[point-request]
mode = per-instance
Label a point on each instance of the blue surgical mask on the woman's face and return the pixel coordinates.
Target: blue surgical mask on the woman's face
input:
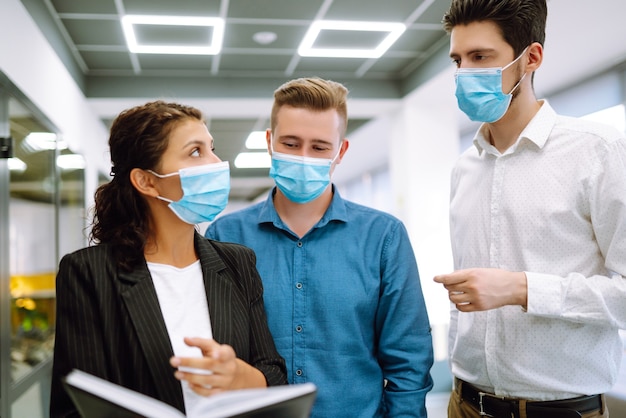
(205, 192)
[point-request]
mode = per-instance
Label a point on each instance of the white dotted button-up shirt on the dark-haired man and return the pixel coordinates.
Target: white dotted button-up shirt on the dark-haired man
(553, 205)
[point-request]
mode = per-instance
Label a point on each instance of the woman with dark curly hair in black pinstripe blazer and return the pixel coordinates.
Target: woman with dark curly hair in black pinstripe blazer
(154, 306)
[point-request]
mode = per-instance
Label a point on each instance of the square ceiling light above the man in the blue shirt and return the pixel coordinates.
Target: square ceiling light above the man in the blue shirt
(306, 48)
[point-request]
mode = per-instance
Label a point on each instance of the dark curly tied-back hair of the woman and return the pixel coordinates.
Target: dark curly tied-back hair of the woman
(139, 137)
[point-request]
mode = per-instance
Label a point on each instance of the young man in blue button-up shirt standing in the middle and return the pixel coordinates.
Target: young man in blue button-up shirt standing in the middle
(341, 286)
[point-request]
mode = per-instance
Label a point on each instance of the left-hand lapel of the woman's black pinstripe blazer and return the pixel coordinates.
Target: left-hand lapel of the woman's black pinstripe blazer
(142, 304)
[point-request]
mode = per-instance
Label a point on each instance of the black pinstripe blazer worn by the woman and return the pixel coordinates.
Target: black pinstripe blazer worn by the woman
(109, 322)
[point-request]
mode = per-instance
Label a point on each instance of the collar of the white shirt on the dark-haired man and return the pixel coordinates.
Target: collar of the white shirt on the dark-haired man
(537, 131)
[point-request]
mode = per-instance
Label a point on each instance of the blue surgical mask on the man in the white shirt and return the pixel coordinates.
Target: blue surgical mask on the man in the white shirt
(479, 92)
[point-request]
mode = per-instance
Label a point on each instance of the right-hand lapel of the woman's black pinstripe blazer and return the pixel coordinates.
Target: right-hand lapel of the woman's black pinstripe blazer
(218, 290)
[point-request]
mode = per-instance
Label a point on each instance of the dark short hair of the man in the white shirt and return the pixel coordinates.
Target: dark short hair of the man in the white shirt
(521, 22)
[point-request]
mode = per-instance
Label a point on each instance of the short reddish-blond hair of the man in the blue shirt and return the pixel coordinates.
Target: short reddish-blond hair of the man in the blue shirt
(314, 94)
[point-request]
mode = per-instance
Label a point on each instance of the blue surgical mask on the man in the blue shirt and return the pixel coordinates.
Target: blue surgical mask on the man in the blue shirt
(301, 179)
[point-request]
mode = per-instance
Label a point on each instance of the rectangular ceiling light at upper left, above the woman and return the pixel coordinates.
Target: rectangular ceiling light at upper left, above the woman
(213, 48)
